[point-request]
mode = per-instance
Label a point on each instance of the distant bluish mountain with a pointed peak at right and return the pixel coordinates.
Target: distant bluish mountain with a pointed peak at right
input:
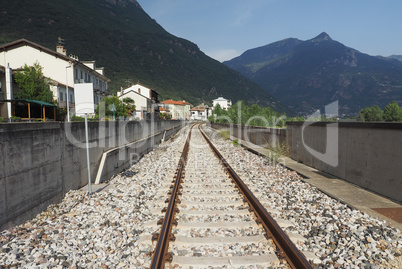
(308, 75)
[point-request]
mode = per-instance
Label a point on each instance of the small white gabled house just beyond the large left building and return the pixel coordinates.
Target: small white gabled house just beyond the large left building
(144, 99)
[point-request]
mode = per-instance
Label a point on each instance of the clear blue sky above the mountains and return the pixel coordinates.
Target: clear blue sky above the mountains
(223, 29)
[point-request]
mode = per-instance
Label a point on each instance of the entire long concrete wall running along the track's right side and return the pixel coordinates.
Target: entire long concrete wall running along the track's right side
(366, 154)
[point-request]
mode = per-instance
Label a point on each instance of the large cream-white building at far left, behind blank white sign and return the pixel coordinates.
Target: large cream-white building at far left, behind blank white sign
(86, 82)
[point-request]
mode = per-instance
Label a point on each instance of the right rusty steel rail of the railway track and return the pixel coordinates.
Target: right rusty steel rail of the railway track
(293, 256)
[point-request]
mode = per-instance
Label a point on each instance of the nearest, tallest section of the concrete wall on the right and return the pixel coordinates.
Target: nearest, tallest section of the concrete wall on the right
(369, 154)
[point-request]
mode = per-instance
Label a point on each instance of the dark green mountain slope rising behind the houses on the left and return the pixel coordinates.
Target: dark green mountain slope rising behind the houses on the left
(131, 46)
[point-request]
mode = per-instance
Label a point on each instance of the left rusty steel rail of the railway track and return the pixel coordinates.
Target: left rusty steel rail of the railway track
(160, 253)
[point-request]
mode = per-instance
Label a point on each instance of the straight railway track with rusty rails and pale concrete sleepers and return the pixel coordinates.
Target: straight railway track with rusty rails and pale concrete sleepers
(212, 218)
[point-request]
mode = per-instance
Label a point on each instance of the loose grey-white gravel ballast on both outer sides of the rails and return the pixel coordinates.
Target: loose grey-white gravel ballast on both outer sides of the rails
(106, 230)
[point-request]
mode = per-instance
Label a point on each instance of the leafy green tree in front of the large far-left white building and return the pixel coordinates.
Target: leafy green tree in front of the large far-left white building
(33, 84)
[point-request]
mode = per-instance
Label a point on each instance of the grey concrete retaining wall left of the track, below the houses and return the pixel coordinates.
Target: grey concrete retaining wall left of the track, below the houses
(40, 162)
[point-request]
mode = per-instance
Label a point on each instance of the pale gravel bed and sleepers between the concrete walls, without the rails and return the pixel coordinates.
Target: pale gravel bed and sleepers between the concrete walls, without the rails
(113, 227)
